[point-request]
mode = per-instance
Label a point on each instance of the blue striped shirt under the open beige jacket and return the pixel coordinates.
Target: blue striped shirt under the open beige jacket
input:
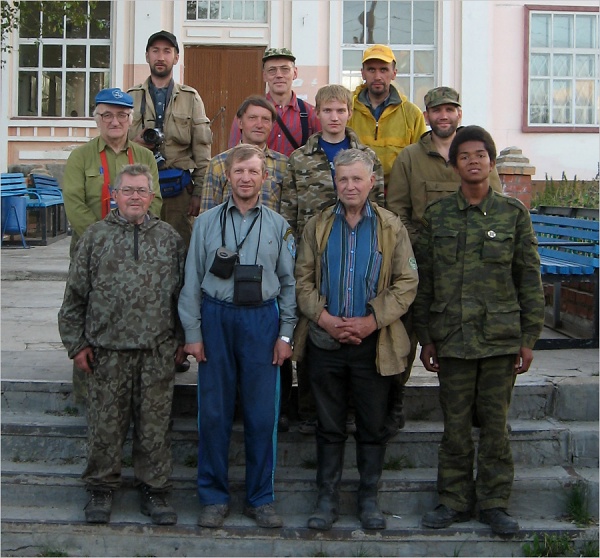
(351, 264)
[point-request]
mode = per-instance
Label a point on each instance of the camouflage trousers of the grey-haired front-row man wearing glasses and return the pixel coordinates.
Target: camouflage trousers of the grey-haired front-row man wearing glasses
(126, 385)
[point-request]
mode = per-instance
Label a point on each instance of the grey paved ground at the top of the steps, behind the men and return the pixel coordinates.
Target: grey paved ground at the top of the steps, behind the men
(31, 293)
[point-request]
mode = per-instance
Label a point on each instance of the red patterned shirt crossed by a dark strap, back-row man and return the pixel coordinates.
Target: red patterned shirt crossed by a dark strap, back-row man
(290, 115)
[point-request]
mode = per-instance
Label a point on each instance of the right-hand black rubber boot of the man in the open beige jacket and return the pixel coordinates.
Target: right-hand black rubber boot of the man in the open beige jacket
(369, 459)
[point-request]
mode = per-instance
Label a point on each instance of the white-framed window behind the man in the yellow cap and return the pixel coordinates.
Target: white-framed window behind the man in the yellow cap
(409, 27)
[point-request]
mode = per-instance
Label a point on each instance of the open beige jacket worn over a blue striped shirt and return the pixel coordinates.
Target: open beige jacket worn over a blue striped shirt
(396, 290)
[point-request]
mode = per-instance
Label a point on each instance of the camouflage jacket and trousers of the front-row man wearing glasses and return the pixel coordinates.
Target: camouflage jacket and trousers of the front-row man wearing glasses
(121, 300)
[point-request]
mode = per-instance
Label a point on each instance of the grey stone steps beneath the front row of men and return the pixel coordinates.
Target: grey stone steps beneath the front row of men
(554, 438)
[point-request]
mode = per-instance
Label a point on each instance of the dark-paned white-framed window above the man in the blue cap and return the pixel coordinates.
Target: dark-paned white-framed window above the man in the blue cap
(62, 65)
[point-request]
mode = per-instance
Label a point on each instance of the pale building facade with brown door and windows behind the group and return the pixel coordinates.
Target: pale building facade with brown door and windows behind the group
(527, 72)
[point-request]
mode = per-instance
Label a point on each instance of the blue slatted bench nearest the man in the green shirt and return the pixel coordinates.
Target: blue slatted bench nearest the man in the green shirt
(46, 210)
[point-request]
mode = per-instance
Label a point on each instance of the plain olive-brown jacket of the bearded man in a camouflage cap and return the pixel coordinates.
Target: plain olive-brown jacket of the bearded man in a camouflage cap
(421, 175)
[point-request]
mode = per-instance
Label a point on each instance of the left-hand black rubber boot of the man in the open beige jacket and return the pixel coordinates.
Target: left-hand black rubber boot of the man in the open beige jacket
(330, 462)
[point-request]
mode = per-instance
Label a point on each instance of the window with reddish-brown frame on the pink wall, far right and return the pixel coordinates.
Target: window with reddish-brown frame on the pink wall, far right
(563, 65)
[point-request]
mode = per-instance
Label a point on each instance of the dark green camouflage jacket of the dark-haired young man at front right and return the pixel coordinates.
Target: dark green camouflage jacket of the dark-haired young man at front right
(480, 290)
